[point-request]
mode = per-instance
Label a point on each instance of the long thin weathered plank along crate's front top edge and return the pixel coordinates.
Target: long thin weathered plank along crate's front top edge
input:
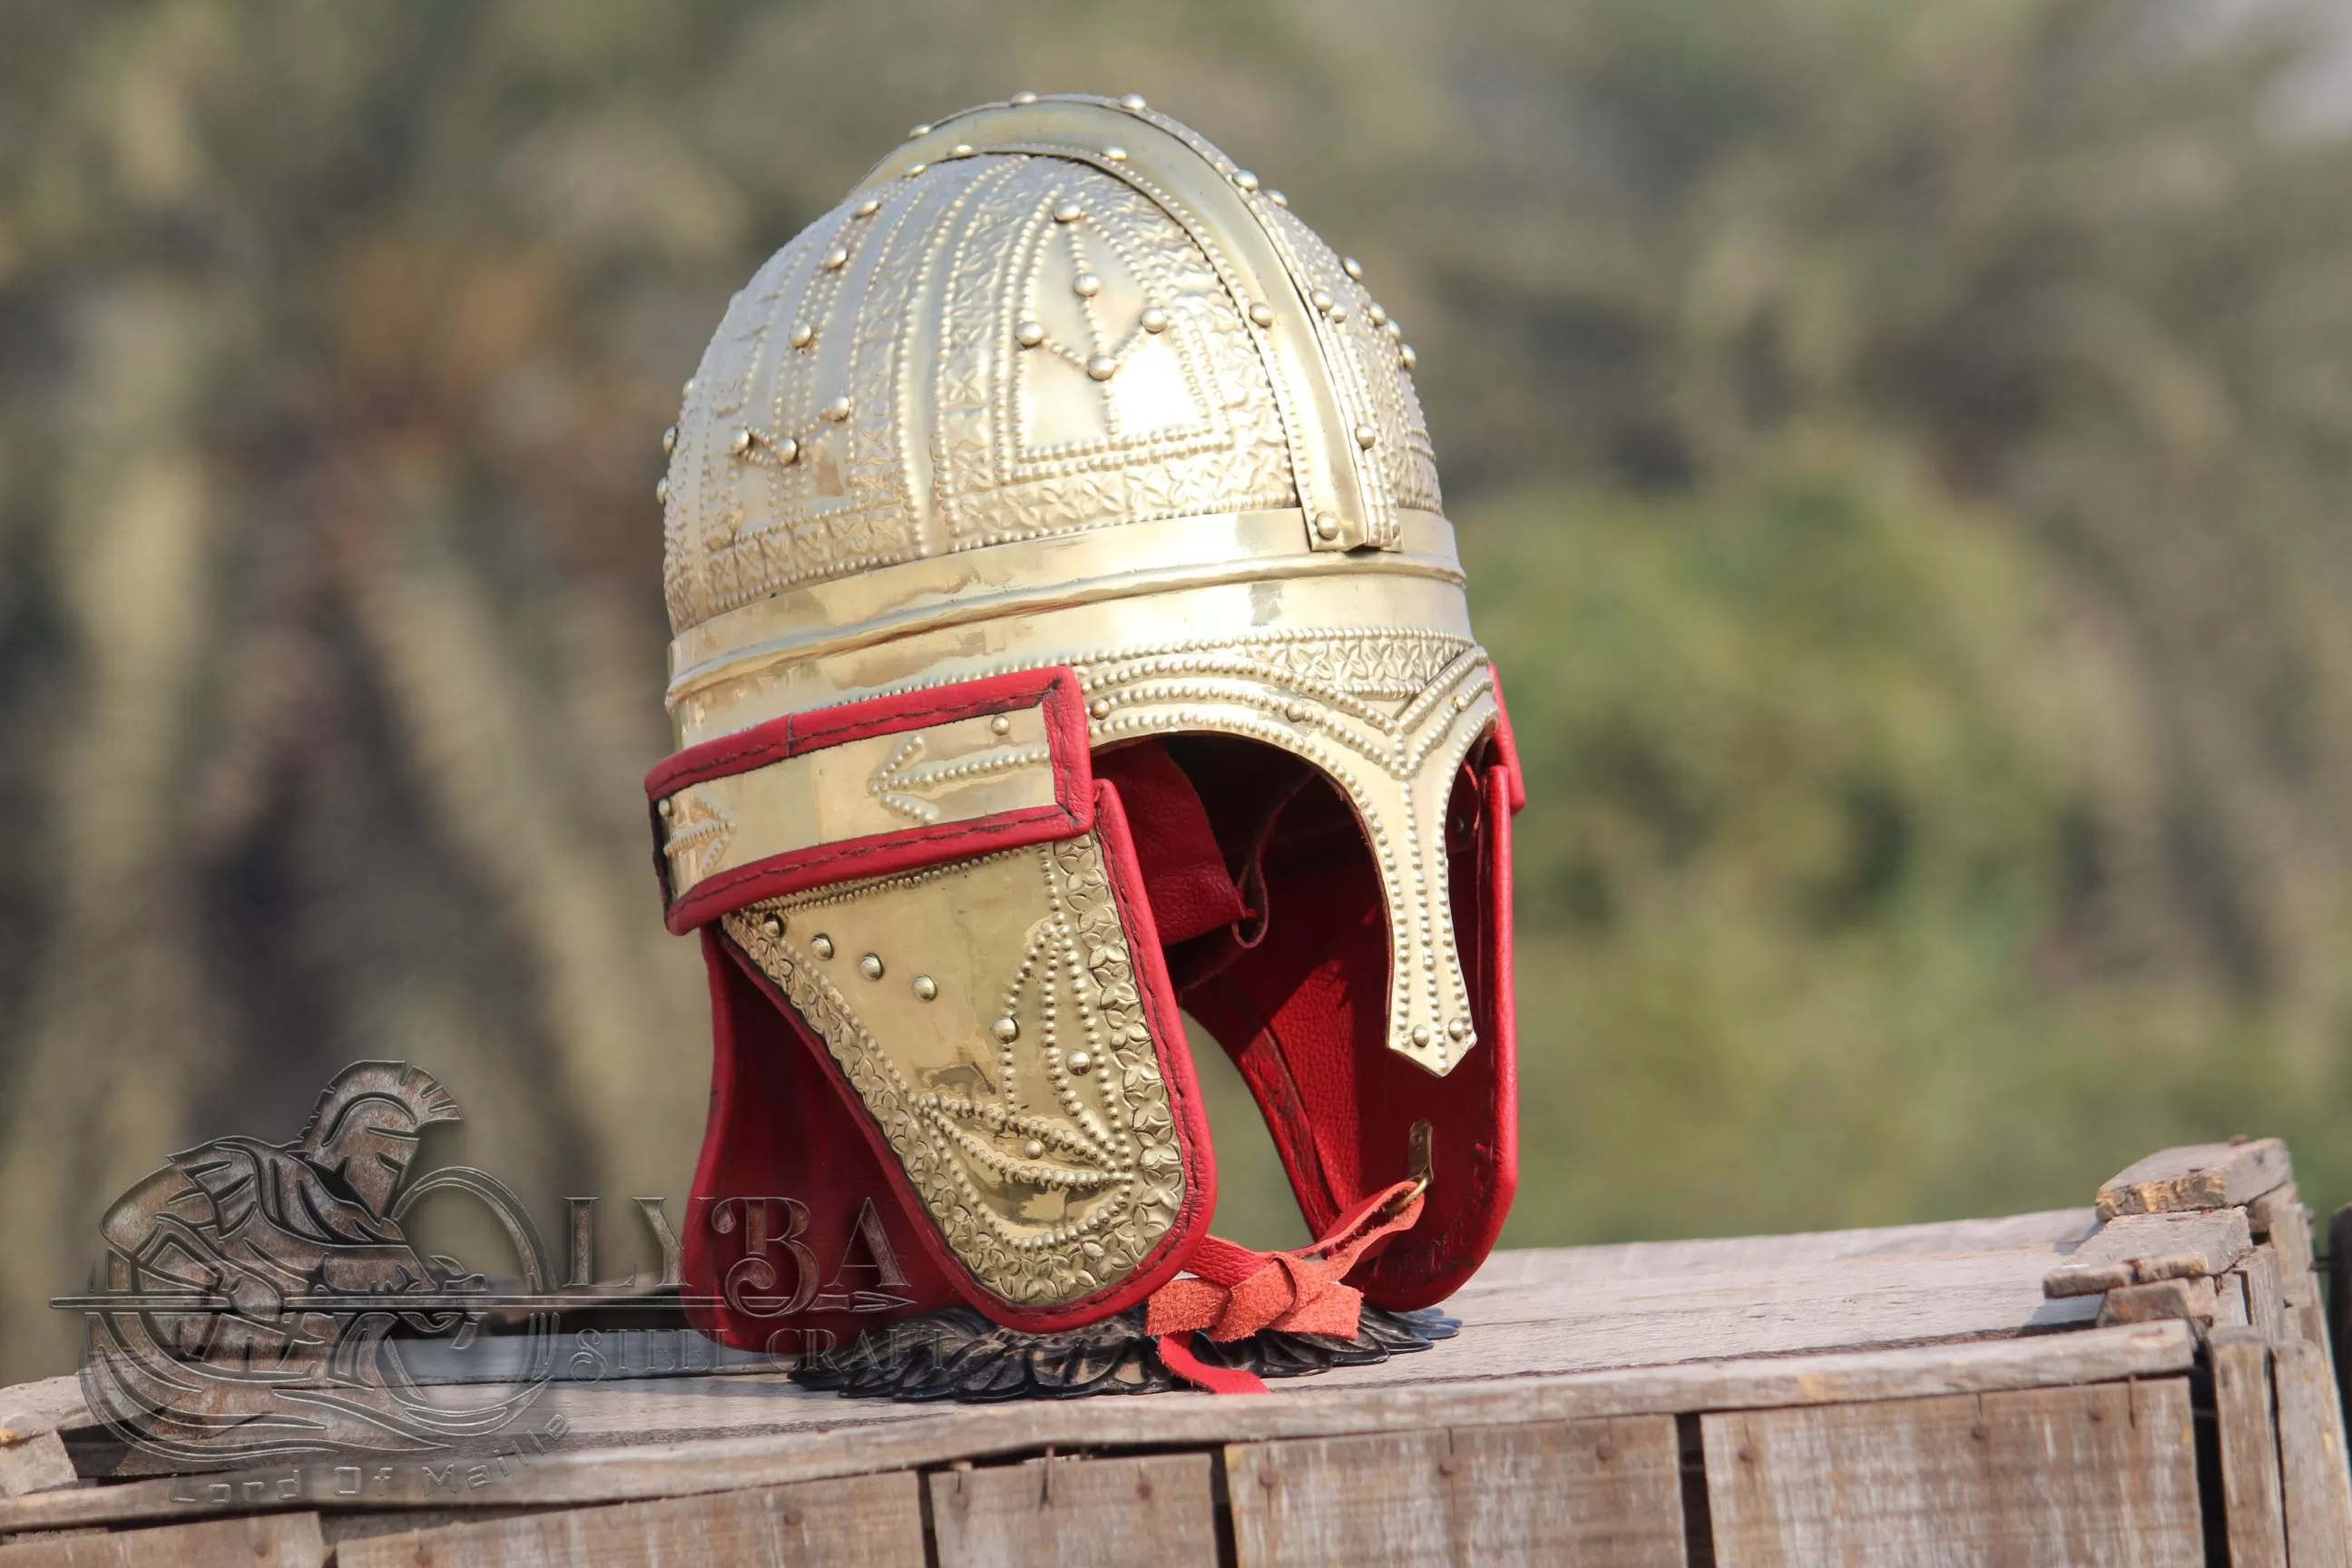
(1323, 1407)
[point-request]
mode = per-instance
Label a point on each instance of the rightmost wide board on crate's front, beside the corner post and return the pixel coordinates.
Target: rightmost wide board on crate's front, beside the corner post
(2066, 1477)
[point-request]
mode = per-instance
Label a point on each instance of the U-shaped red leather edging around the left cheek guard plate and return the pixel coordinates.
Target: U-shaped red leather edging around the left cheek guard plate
(1187, 1108)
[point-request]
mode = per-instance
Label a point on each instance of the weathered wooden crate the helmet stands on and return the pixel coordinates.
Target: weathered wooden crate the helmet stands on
(2029, 1391)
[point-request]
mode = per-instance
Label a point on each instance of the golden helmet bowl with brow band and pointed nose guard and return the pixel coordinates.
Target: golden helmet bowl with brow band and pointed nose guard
(1060, 384)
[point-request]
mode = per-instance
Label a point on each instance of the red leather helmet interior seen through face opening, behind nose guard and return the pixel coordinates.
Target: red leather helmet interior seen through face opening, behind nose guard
(1297, 991)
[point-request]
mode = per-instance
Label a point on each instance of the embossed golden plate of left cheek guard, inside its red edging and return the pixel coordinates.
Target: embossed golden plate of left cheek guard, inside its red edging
(1015, 1078)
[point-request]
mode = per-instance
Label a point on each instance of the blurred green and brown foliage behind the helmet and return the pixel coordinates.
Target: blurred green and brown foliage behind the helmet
(1902, 453)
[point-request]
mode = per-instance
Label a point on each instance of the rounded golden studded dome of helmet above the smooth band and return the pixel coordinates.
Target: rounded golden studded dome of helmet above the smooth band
(949, 434)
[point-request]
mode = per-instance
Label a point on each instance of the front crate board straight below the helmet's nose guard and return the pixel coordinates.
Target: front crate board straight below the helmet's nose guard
(1601, 1494)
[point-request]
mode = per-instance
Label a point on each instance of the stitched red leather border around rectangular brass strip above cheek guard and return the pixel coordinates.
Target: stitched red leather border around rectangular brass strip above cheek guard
(881, 855)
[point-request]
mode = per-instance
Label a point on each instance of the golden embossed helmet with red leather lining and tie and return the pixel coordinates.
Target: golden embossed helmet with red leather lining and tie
(1069, 641)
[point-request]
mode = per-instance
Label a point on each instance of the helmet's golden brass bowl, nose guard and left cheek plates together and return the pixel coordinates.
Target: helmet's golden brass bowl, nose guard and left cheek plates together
(1057, 387)
